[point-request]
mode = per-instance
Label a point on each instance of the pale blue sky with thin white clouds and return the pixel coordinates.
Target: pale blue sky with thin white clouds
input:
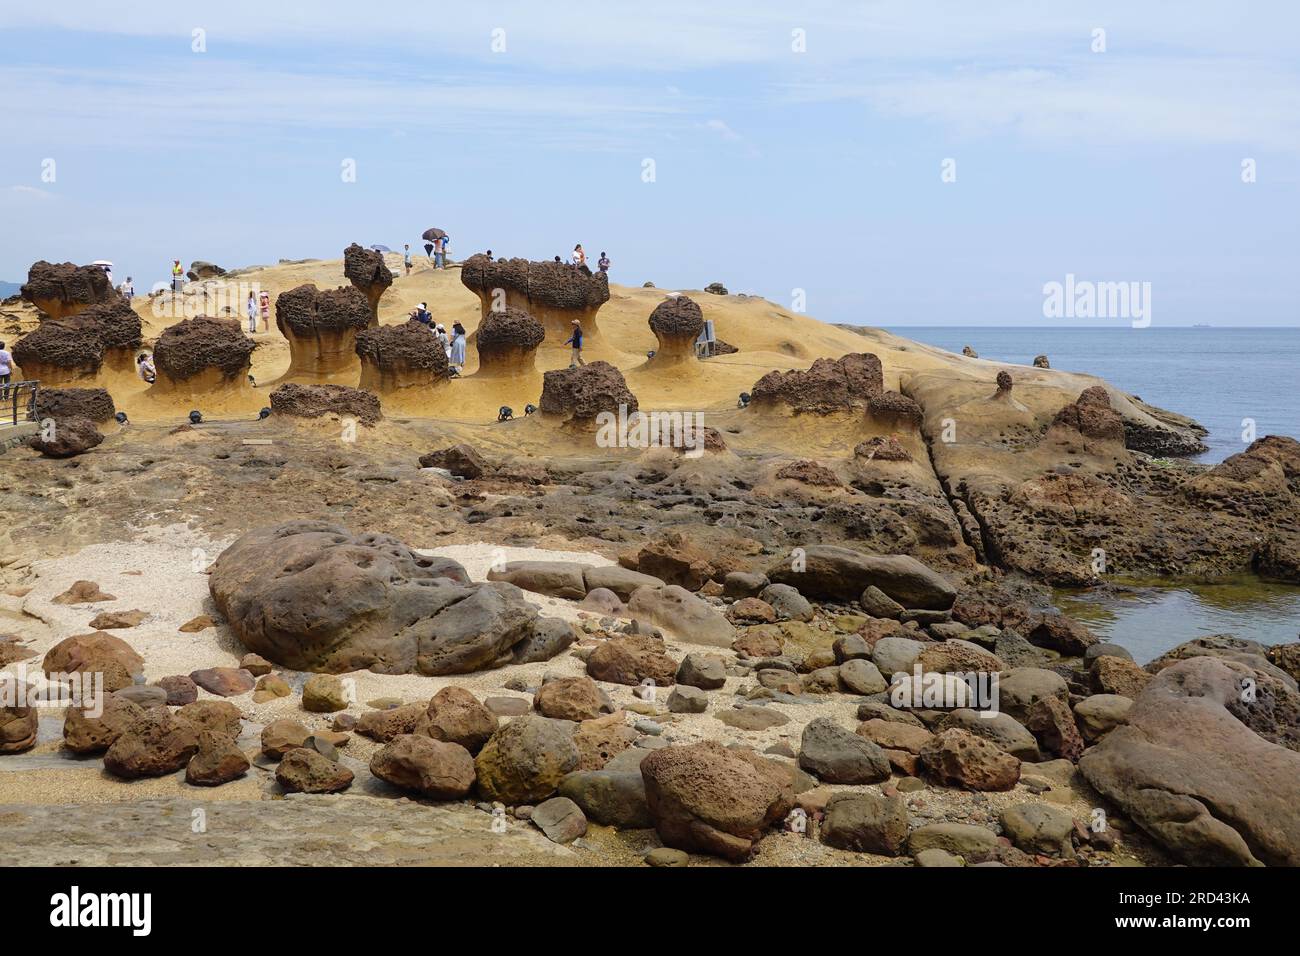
(881, 163)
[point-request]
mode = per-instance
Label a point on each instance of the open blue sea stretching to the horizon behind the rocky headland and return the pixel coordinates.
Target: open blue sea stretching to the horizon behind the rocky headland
(1216, 377)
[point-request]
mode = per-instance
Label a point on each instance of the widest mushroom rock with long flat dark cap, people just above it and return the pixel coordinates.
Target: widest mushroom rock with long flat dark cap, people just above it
(553, 293)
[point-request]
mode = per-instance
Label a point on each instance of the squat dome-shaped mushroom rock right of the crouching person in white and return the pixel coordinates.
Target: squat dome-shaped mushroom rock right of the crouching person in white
(202, 356)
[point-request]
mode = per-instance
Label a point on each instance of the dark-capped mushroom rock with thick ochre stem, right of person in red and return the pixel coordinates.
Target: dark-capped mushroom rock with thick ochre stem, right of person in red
(322, 328)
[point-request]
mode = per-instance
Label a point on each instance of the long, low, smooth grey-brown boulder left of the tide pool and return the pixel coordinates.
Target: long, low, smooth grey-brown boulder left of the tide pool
(843, 574)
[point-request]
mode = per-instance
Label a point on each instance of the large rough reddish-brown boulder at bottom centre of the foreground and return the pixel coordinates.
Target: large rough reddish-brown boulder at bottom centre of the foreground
(708, 799)
